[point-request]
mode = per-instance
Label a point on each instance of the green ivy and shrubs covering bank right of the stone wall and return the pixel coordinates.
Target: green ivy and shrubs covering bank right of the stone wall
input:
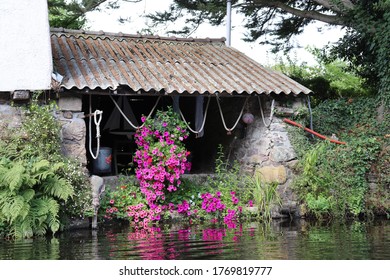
(333, 178)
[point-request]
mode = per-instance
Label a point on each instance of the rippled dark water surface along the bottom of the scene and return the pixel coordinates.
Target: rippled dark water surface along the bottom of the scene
(280, 240)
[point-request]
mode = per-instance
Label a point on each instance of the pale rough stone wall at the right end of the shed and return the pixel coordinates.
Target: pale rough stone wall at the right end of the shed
(268, 153)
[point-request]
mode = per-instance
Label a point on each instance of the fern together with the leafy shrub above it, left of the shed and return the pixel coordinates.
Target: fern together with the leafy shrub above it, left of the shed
(42, 184)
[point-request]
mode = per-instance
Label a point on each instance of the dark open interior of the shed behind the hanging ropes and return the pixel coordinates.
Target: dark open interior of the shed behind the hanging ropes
(118, 136)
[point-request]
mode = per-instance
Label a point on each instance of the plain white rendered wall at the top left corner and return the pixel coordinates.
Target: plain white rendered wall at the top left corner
(25, 51)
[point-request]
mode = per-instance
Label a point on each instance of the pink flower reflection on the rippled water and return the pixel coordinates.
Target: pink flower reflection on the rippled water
(153, 243)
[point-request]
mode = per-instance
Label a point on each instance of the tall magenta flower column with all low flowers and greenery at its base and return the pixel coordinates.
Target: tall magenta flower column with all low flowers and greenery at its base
(161, 159)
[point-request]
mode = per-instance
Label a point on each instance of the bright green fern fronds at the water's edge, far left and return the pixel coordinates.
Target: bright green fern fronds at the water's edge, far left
(30, 196)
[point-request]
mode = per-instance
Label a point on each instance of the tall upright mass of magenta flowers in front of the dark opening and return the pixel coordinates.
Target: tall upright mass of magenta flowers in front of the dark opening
(161, 157)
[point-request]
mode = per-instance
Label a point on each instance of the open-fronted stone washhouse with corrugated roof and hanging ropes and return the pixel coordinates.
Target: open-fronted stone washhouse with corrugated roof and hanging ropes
(97, 71)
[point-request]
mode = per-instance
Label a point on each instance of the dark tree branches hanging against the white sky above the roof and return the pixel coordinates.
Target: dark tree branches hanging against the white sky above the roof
(277, 19)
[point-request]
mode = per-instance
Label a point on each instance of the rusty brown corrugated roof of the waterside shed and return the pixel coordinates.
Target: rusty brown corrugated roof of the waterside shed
(98, 60)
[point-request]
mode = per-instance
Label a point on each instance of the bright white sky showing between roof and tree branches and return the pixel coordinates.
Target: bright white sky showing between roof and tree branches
(107, 20)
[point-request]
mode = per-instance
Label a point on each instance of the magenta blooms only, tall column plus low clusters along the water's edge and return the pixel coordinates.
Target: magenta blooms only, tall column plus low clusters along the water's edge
(161, 160)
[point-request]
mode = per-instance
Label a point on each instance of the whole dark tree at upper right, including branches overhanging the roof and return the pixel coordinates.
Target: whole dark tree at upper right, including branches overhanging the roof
(365, 45)
